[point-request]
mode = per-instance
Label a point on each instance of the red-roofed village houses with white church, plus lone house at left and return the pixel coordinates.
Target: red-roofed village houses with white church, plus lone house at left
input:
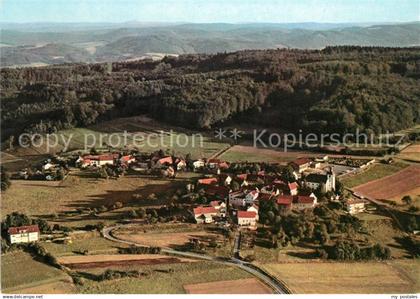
(229, 193)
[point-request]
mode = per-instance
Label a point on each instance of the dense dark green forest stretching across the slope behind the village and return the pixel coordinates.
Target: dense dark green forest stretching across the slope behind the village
(338, 89)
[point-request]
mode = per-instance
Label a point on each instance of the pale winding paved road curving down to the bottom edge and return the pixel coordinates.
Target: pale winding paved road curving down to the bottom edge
(278, 286)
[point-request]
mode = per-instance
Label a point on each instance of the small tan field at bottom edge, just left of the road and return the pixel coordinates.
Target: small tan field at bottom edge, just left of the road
(239, 286)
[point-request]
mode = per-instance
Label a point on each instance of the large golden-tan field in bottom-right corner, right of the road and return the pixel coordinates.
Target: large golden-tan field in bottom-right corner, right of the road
(355, 278)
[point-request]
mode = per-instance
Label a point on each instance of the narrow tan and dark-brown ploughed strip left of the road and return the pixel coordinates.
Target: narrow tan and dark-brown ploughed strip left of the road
(120, 260)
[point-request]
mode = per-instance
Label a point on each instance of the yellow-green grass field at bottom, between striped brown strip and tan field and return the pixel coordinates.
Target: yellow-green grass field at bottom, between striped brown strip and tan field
(159, 282)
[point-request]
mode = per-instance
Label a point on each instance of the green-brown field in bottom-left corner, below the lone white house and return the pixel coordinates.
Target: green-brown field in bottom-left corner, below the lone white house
(19, 269)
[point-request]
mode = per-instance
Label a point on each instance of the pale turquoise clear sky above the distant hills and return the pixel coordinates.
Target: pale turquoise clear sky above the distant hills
(210, 11)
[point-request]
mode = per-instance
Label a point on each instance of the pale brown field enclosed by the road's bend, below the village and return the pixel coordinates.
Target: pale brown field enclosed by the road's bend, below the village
(163, 239)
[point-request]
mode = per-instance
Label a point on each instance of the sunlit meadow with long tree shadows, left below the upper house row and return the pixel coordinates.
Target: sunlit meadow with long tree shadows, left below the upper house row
(41, 198)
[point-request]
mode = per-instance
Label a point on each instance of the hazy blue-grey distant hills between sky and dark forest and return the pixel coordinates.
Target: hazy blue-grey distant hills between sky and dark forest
(108, 42)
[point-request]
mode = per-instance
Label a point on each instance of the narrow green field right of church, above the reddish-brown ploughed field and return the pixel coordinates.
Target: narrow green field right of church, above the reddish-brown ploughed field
(374, 172)
